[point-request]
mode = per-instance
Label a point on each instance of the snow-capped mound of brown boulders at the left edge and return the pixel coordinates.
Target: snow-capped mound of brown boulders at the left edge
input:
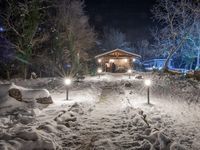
(14, 98)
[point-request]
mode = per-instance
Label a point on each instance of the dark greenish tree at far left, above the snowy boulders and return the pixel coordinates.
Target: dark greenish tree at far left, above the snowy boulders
(21, 21)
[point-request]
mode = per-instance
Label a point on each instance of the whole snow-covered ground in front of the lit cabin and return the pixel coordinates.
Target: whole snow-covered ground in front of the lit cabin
(108, 113)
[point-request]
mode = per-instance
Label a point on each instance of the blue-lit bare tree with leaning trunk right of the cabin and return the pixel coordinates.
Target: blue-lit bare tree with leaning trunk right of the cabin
(176, 18)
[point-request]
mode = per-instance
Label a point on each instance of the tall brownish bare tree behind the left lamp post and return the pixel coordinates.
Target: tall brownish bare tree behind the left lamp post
(73, 35)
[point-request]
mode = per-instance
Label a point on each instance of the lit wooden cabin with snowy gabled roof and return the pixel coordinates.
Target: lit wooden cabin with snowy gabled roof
(117, 60)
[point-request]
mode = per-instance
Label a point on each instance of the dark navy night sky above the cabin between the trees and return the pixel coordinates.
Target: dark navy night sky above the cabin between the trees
(132, 17)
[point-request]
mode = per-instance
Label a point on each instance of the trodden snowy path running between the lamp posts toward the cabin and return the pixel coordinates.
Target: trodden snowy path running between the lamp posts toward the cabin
(107, 126)
